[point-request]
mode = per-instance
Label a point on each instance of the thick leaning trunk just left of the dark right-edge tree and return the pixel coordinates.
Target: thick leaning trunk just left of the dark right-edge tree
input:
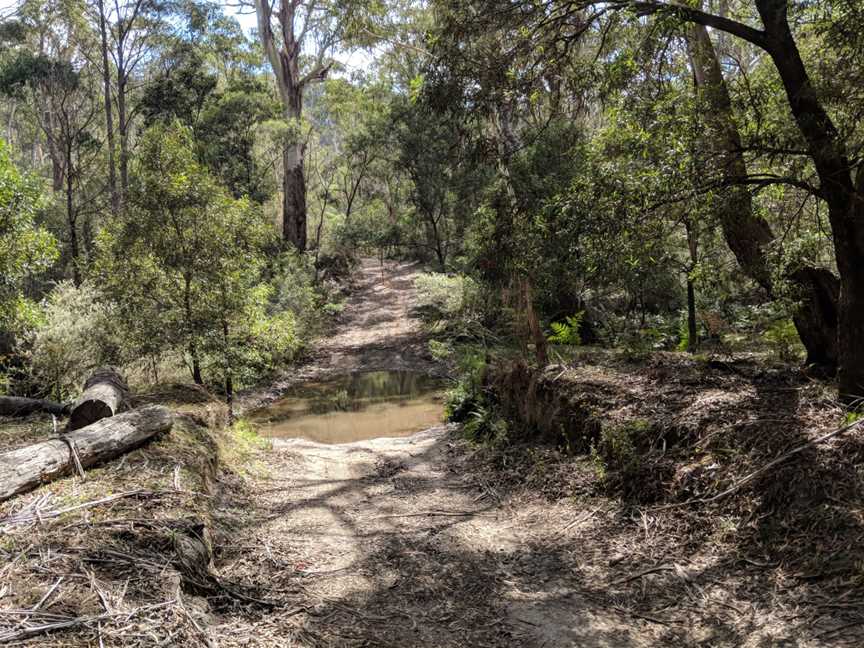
(747, 234)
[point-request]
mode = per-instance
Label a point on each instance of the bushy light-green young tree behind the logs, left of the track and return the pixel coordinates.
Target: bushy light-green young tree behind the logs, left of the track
(184, 262)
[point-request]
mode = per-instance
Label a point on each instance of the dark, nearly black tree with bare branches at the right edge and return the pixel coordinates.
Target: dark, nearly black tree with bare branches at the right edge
(830, 151)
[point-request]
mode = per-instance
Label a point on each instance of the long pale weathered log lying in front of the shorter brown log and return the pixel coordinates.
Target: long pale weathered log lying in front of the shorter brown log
(27, 468)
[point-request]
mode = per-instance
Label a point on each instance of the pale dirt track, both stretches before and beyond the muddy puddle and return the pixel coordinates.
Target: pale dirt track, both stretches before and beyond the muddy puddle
(385, 543)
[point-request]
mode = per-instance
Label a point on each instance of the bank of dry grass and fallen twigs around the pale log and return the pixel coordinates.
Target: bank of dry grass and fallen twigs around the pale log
(125, 557)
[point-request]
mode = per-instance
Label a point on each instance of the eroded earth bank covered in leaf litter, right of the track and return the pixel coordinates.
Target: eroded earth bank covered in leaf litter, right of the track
(652, 443)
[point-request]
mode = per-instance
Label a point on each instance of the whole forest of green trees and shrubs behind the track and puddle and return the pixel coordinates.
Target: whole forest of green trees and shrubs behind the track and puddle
(193, 180)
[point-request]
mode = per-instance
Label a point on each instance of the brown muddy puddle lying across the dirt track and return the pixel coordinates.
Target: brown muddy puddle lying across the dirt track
(355, 407)
